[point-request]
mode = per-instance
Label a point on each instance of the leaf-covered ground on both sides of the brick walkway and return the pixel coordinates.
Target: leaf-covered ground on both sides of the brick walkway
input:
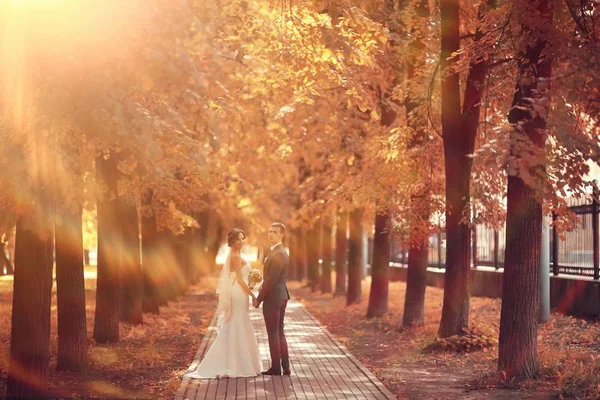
(150, 360)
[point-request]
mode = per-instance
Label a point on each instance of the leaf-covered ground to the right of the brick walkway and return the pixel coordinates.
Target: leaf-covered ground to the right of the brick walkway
(568, 348)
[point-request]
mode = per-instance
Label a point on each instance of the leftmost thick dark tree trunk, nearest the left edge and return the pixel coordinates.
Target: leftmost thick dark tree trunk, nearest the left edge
(30, 330)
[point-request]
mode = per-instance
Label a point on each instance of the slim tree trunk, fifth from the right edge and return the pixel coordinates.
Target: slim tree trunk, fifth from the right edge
(355, 257)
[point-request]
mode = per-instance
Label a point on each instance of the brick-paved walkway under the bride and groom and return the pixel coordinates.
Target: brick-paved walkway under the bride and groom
(322, 368)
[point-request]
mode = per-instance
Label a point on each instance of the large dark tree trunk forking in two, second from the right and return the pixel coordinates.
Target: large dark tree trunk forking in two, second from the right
(459, 143)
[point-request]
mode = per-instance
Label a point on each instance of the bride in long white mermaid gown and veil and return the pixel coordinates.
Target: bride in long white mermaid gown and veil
(234, 352)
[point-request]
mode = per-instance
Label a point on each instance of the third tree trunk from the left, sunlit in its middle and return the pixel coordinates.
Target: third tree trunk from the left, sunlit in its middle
(106, 321)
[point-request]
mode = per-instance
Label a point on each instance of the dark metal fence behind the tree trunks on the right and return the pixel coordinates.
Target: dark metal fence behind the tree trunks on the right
(577, 255)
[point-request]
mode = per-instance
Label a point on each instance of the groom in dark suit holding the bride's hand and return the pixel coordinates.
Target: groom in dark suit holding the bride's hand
(274, 295)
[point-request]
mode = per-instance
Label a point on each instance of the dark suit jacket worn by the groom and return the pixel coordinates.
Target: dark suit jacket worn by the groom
(275, 274)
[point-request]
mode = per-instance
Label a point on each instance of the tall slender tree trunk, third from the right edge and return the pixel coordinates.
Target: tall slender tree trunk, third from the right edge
(415, 103)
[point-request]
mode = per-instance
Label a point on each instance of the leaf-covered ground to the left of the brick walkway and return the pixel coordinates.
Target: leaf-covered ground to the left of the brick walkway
(148, 362)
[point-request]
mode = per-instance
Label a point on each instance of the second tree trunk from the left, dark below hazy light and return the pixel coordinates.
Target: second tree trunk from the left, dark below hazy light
(70, 292)
